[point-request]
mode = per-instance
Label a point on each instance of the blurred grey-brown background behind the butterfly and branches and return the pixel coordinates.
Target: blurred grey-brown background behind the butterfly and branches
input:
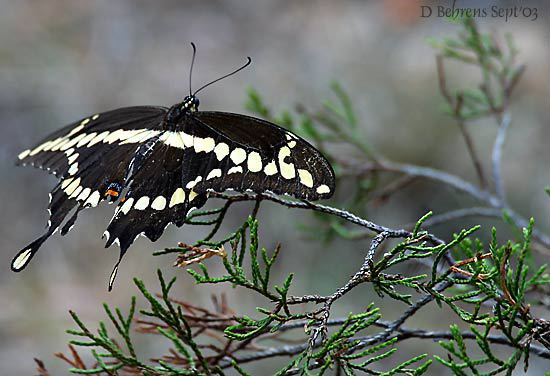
(62, 60)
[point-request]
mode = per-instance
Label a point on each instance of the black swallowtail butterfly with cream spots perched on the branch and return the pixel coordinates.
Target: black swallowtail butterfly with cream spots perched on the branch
(160, 163)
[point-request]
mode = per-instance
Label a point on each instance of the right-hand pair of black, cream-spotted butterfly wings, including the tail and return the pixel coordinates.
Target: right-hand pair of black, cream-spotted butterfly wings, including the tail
(214, 151)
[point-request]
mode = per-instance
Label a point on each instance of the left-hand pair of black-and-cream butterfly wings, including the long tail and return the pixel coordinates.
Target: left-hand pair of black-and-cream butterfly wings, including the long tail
(90, 166)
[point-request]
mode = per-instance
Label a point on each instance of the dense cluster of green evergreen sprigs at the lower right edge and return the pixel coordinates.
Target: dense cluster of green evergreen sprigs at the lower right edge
(492, 278)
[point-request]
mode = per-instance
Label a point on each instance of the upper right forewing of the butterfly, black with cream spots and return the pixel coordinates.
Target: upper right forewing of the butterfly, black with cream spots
(253, 154)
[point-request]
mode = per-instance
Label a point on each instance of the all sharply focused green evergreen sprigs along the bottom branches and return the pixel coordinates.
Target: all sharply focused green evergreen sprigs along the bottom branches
(483, 276)
